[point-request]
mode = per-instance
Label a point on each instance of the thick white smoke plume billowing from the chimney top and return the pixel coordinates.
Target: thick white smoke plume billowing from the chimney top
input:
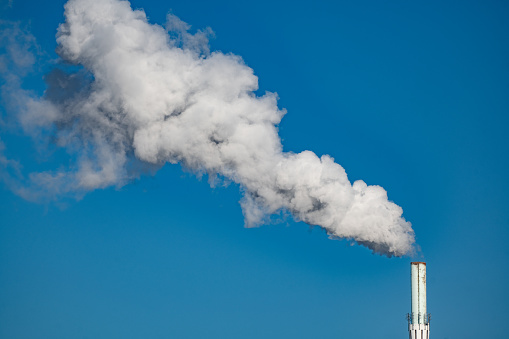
(152, 95)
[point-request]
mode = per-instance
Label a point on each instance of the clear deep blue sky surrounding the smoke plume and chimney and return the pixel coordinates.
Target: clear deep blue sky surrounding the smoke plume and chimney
(412, 96)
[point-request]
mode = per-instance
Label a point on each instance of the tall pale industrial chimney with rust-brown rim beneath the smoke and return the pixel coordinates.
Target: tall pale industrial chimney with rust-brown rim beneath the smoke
(418, 320)
